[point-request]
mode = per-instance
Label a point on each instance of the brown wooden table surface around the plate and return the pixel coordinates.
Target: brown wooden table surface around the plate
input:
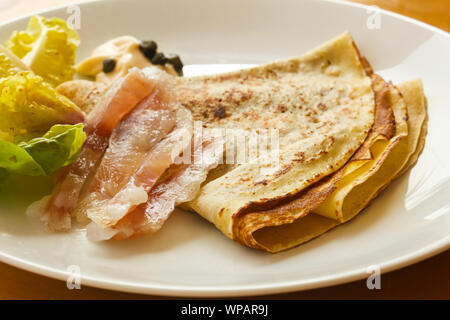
(429, 279)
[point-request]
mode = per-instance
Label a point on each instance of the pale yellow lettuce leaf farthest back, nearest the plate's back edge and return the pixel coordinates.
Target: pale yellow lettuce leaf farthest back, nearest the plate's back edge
(48, 47)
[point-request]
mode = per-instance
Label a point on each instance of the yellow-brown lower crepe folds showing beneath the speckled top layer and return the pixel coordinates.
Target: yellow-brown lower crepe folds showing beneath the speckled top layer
(343, 195)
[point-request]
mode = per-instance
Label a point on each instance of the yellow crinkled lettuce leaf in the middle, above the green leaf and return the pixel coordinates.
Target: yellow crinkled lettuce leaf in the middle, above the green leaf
(29, 107)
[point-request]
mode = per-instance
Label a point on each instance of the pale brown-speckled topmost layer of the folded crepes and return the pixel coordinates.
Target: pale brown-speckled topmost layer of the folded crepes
(321, 103)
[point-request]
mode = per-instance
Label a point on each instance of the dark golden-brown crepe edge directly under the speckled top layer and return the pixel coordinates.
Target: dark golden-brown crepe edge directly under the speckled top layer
(248, 222)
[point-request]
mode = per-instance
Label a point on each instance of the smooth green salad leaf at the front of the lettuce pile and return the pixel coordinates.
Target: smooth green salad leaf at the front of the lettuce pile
(42, 156)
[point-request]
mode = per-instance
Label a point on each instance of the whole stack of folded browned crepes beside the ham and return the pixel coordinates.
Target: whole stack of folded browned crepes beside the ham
(344, 135)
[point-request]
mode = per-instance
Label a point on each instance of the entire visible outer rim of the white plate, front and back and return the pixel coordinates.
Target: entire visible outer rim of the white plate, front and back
(153, 288)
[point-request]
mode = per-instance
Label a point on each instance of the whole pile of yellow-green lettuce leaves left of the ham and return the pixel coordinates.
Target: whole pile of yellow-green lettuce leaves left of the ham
(40, 129)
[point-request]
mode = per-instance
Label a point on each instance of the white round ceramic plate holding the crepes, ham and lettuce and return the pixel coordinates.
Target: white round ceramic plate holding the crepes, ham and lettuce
(189, 257)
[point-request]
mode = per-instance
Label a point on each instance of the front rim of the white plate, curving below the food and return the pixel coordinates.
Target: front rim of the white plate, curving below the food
(238, 290)
